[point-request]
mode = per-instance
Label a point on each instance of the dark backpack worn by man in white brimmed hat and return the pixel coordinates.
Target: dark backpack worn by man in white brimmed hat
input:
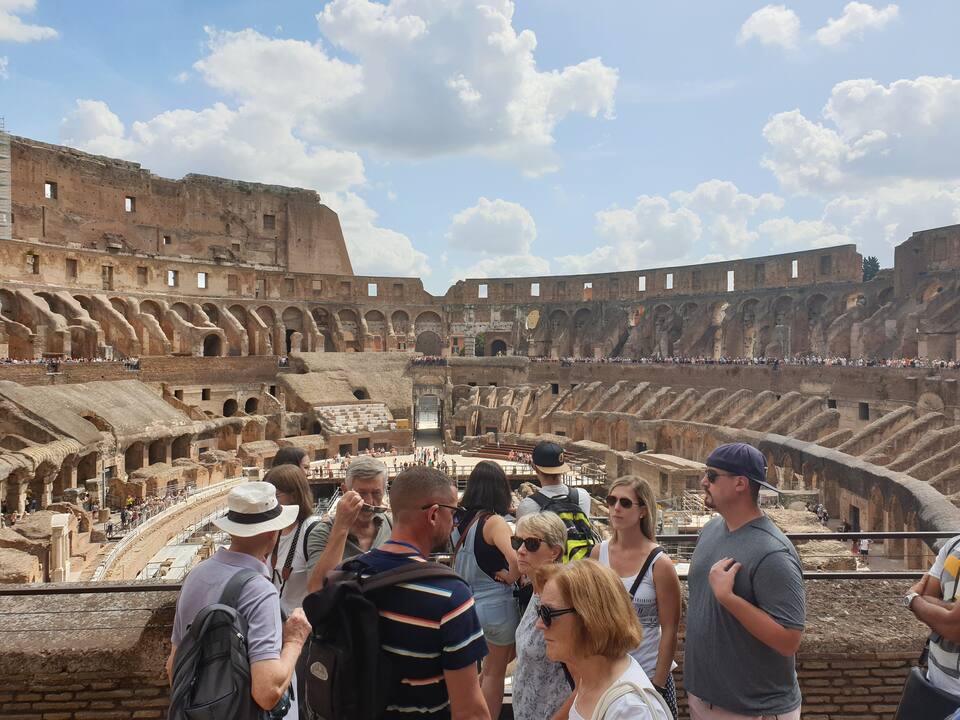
(211, 671)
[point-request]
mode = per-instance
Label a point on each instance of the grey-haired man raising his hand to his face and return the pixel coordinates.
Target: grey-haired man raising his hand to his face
(360, 523)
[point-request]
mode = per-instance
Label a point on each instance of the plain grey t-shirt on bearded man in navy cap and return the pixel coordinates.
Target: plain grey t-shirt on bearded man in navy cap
(723, 663)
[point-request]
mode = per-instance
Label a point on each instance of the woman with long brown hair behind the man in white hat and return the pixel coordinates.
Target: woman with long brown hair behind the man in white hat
(288, 561)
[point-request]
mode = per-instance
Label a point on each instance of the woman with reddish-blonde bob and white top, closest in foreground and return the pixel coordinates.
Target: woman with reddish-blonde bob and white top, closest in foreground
(589, 625)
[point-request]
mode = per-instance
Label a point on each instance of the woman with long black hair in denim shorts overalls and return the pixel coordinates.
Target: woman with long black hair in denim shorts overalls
(485, 558)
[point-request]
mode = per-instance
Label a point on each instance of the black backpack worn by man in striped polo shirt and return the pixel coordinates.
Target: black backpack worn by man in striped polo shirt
(348, 674)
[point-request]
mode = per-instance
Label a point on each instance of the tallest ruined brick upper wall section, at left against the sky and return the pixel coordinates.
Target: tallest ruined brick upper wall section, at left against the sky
(65, 196)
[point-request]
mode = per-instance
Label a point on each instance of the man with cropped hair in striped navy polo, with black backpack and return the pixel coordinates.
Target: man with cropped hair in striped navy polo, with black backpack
(396, 636)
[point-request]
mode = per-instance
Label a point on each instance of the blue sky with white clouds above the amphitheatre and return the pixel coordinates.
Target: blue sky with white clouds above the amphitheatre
(488, 138)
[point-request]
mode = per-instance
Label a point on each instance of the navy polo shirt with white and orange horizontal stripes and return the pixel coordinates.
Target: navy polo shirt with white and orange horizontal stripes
(426, 627)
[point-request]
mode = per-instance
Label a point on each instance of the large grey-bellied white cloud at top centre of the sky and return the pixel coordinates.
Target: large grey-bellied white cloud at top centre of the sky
(444, 78)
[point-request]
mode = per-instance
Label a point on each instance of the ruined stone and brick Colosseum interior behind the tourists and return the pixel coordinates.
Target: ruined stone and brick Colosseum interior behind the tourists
(169, 335)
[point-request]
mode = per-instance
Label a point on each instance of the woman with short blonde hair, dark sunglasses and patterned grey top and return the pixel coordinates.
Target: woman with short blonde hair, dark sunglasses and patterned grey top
(540, 686)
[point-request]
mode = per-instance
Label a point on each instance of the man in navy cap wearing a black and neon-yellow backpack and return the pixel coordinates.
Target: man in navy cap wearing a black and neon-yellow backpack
(573, 505)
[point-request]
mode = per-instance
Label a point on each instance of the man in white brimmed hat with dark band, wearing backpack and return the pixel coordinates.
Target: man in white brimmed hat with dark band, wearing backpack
(232, 657)
